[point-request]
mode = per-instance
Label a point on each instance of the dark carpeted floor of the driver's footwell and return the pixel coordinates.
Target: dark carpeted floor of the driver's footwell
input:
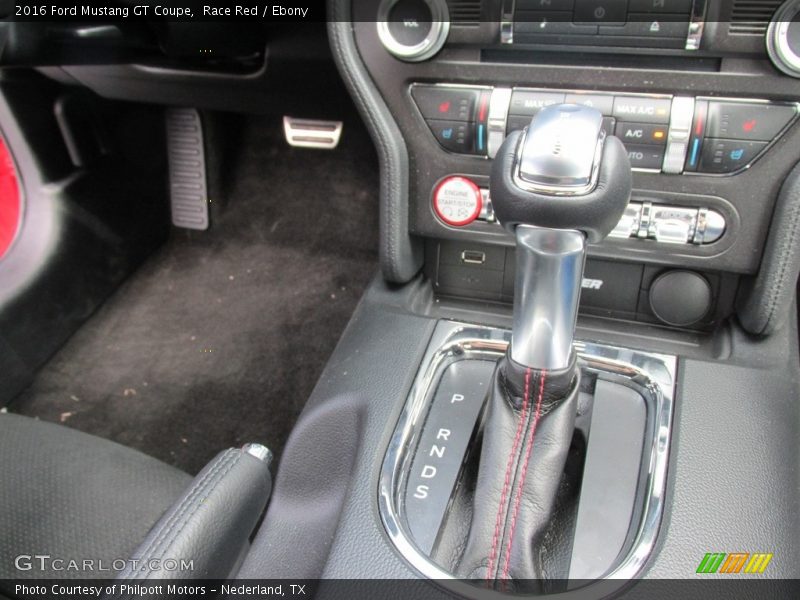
(220, 337)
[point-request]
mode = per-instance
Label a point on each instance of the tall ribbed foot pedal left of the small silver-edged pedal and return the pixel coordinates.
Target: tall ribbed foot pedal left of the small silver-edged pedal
(187, 169)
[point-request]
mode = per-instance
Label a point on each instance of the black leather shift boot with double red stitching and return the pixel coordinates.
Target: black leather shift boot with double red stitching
(527, 435)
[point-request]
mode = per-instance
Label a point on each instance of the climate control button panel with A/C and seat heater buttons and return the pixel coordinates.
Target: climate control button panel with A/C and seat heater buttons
(663, 133)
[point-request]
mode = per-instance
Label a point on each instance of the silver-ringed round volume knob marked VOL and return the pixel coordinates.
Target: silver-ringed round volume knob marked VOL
(413, 30)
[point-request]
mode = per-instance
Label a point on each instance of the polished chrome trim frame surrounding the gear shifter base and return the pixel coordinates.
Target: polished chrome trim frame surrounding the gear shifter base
(652, 375)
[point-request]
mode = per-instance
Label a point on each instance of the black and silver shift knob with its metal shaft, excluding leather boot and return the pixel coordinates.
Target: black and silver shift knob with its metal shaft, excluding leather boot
(556, 184)
